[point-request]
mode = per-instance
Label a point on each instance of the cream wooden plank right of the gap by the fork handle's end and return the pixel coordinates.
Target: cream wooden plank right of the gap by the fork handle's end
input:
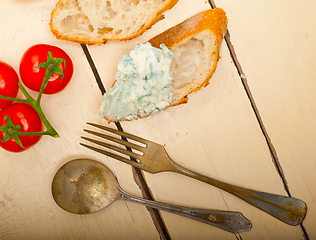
(280, 67)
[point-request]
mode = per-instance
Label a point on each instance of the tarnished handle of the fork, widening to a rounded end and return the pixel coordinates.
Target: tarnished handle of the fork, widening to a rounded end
(287, 209)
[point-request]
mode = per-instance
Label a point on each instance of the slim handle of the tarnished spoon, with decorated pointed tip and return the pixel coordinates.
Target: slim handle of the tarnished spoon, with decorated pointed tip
(233, 222)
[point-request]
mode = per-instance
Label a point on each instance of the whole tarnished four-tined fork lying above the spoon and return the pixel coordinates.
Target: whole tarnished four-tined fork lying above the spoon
(154, 159)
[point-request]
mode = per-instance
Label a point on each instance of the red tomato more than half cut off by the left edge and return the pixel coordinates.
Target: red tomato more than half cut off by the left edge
(8, 83)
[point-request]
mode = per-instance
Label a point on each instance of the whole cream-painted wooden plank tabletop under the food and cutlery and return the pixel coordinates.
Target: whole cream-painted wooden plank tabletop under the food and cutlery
(253, 126)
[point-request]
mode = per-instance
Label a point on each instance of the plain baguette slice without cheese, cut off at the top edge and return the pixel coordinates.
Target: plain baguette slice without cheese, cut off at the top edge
(97, 21)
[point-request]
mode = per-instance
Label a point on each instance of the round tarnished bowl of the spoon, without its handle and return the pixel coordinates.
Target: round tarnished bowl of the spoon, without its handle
(84, 186)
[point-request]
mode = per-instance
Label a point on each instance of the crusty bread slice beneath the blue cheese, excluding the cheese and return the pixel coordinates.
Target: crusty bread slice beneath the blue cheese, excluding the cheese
(195, 44)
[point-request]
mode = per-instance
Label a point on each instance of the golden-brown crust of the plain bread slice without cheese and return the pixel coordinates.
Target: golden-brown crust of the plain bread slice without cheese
(82, 40)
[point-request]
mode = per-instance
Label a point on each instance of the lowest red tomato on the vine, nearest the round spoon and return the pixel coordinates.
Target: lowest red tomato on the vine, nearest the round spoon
(24, 115)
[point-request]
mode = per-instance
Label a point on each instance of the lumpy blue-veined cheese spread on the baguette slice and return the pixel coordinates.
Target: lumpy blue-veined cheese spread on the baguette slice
(143, 84)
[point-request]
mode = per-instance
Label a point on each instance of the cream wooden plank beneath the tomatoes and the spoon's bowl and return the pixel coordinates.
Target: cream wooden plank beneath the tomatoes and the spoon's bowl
(27, 208)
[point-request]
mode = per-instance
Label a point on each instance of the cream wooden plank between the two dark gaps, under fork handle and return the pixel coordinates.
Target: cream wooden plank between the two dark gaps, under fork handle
(216, 134)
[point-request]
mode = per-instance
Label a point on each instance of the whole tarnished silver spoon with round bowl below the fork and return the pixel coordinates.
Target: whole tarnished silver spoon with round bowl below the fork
(86, 186)
